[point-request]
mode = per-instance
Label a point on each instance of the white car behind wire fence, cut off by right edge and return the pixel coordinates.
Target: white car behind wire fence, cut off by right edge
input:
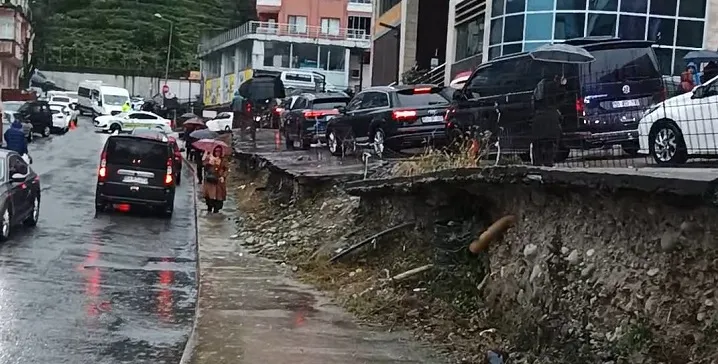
(682, 126)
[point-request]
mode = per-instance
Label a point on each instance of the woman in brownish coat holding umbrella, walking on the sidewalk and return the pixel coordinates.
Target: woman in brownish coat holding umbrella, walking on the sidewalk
(215, 163)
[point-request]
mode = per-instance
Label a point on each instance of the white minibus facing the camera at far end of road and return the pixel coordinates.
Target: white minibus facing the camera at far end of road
(96, 99)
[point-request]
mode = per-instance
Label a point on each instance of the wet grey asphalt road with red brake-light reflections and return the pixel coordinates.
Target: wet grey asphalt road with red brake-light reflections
(119, 288)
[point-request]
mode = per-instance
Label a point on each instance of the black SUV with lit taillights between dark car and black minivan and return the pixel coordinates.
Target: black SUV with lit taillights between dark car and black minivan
(394, 117)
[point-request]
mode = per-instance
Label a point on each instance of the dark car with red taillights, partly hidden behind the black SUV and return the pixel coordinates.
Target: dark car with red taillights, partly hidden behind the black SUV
(306, 120)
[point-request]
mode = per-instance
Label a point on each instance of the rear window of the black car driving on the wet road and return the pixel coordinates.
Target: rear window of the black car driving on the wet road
(145, 152)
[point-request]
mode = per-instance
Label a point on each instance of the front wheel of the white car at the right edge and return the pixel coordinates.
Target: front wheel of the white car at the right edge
(666, 144)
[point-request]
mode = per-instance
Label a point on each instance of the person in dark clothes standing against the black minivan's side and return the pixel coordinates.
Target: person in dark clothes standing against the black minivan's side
(546, 122)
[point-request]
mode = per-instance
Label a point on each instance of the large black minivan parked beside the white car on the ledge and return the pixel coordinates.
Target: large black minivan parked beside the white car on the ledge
(601, 103)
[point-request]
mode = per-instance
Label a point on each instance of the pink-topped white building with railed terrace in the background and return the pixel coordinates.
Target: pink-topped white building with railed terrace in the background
(329, 37)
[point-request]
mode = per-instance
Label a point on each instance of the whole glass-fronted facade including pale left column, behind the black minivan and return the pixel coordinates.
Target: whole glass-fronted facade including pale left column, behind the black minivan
(495, 28)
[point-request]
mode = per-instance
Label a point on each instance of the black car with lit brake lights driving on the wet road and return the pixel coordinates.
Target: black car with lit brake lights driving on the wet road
(136, 170)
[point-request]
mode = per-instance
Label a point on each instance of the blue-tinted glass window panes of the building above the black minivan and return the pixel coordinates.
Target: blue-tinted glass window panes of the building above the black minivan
(677, 26)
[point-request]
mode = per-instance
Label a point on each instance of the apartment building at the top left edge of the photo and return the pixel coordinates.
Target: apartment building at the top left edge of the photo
(15, 41)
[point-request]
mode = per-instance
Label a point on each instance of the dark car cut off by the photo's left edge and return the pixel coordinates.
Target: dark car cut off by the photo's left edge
(20, 193)
